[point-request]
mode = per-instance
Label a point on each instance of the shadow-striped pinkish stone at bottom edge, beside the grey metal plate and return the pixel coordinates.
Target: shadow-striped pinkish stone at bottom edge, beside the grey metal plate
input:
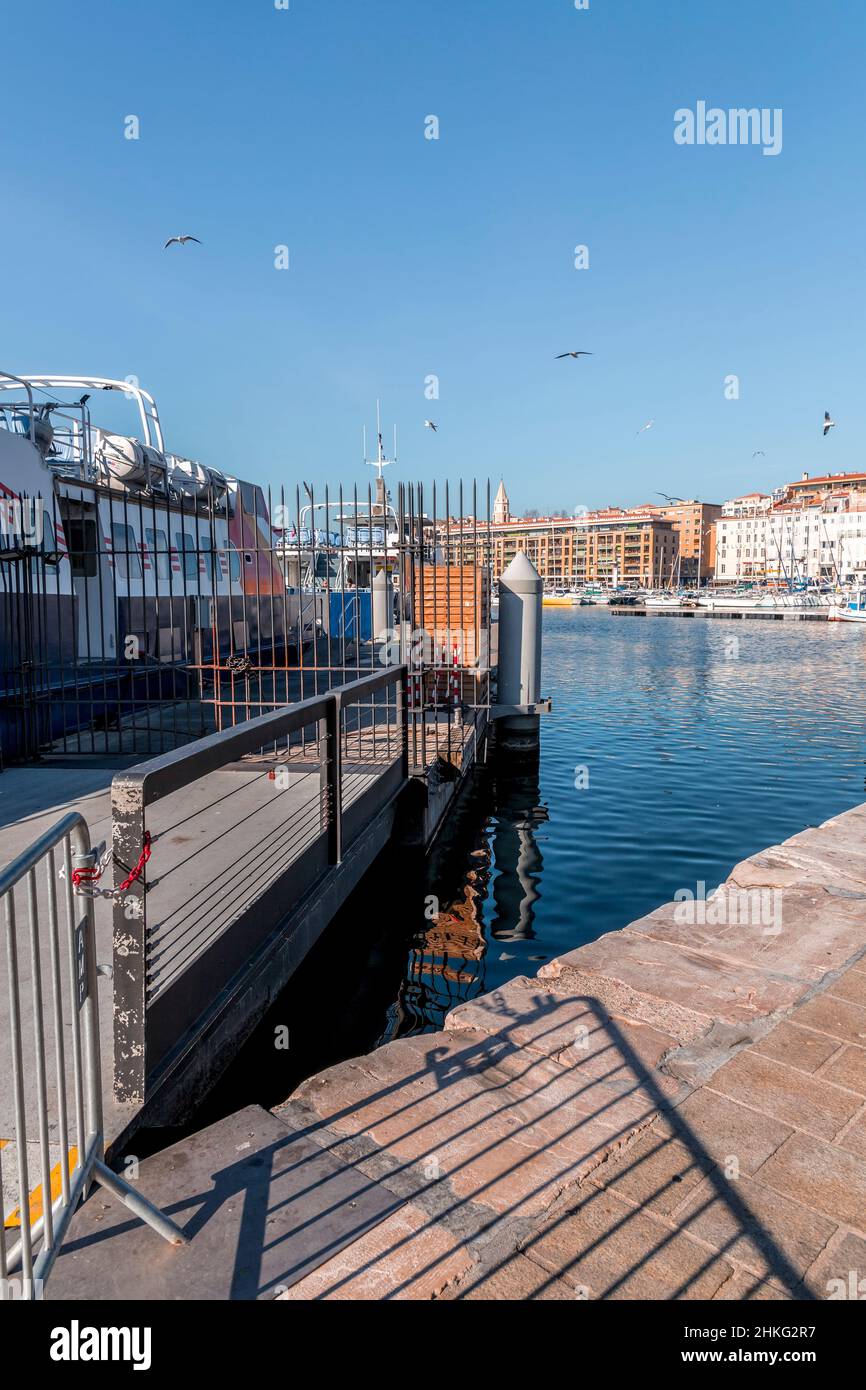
(405, 1257)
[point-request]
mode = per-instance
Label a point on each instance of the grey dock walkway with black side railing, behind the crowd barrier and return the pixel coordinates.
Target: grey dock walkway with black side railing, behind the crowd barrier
(243, 849)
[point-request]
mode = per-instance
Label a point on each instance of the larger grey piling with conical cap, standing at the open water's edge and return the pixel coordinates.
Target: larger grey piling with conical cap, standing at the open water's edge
(521, 594)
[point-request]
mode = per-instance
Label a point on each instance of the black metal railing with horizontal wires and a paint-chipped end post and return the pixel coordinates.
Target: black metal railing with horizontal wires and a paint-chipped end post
(250, 821)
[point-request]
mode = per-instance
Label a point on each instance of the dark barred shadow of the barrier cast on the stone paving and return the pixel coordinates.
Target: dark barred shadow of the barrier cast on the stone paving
(518, 1088)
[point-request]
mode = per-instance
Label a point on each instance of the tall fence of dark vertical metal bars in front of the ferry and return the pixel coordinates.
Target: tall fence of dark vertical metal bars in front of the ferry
(141, 621)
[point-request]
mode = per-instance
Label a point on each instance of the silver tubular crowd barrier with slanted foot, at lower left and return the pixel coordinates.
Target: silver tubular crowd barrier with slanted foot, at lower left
(87, 1099)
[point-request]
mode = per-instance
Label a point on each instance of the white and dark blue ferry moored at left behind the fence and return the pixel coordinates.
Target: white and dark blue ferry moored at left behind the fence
(123, 566)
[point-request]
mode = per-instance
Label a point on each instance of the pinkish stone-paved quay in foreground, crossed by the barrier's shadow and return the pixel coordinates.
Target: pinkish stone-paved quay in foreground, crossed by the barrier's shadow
(675, 1111)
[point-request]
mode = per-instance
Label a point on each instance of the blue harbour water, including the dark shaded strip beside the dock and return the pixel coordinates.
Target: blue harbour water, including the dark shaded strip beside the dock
(694, 743)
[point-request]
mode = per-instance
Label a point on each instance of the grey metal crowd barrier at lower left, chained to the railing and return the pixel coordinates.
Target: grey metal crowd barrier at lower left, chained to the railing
(52, 1093)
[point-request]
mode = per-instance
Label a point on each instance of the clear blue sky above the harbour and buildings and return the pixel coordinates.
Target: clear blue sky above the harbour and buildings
(454, 258)
